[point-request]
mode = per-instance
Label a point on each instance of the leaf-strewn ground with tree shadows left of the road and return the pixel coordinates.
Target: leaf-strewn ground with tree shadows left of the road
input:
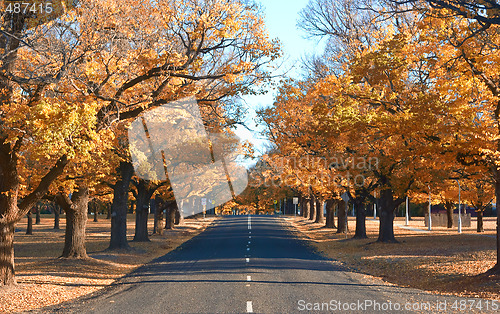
(44, 280)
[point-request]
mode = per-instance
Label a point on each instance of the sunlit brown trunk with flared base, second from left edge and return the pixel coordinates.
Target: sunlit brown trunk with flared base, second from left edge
(76, 210)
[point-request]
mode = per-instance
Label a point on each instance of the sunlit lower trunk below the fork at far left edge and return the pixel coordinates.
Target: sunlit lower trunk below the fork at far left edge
(7, 274)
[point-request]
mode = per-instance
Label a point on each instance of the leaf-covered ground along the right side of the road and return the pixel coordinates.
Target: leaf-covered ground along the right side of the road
(441, 261)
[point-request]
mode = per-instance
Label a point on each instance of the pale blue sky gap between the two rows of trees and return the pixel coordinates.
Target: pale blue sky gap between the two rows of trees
(281, 19)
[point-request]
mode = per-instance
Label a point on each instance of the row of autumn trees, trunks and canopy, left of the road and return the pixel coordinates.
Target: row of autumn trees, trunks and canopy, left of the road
(72, 80)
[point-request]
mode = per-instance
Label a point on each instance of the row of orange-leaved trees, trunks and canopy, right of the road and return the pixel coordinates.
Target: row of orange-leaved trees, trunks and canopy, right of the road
(404, 101)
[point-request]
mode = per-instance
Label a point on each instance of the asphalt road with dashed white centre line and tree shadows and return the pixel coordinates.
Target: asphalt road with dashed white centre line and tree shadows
(244, 264)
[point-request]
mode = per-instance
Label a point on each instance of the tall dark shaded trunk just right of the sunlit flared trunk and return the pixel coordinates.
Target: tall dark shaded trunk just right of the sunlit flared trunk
(119, 208)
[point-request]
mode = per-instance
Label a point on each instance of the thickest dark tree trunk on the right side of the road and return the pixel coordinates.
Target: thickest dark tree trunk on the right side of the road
(386, 207)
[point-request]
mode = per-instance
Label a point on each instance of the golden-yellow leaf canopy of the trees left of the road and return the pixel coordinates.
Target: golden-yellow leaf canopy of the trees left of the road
(102, 45)
